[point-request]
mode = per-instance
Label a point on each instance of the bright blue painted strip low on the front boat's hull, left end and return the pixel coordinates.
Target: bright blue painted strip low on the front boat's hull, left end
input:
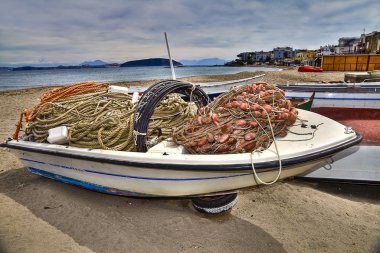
(89, 186)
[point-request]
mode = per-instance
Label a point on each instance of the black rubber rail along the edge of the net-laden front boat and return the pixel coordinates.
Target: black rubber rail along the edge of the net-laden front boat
(200, 167)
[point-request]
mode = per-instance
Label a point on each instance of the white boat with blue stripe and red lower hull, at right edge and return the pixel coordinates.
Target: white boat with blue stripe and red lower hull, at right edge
(353, 104)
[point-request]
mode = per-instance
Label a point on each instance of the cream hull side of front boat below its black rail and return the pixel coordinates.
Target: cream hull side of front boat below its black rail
(150, 182)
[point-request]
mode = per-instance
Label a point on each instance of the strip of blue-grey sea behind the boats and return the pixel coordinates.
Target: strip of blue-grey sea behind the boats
(12, 80)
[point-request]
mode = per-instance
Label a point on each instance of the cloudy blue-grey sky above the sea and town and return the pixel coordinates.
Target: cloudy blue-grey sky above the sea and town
(73, 31)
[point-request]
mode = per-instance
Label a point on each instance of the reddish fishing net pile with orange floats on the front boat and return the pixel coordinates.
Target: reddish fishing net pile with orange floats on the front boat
(245, 119)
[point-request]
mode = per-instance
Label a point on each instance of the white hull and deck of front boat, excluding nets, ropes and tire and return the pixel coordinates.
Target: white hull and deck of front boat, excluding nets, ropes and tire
(168, 170)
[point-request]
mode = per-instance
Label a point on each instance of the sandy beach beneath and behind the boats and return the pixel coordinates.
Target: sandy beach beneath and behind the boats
(41, 215)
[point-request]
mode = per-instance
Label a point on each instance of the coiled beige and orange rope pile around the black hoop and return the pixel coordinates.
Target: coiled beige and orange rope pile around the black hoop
(97, 118)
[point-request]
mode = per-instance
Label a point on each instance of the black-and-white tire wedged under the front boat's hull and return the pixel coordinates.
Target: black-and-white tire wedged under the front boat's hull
(215, 204)
